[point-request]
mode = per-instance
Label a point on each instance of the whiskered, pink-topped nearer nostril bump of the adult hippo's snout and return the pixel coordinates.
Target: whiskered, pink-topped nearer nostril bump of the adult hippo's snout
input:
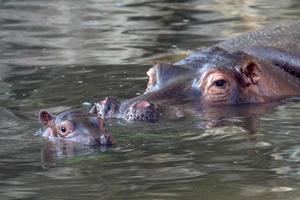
(142, 111)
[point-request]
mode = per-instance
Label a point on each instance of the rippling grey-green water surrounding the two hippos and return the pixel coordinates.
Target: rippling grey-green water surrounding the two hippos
(58, 54)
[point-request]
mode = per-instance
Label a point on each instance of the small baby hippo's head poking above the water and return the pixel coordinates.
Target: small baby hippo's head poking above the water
(75, 125)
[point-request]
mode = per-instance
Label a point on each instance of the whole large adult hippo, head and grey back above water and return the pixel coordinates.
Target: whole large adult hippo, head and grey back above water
(256, 67)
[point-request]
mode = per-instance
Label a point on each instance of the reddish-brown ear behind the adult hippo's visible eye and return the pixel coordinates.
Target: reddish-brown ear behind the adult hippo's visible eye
(250, 72)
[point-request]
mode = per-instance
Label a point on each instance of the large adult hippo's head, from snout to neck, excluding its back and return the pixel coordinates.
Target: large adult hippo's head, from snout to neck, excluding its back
(214, 77)
